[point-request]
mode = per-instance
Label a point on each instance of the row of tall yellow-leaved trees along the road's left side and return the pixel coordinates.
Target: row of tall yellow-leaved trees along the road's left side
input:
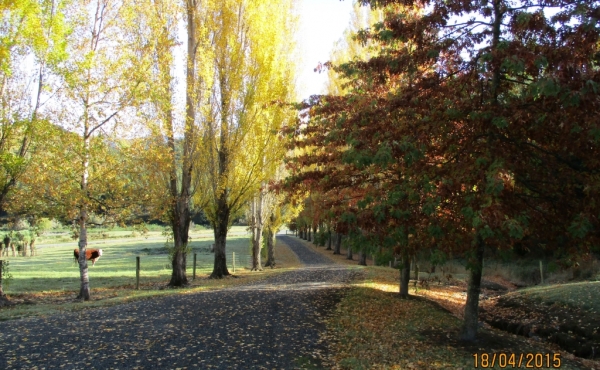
(93, 120)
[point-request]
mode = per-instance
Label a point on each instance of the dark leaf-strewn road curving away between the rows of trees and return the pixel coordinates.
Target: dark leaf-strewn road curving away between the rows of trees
(275, 323)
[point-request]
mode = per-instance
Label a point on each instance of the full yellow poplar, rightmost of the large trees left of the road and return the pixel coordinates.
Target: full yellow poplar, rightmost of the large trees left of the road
(251, 71)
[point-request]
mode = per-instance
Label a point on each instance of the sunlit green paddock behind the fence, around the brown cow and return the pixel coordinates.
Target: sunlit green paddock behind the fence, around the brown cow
(54, 269)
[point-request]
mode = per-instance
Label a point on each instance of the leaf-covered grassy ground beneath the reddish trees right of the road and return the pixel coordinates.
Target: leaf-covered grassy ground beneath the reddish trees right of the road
(374, 329)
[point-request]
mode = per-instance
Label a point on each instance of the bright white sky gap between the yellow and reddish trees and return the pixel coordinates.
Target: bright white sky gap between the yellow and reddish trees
(322, 23)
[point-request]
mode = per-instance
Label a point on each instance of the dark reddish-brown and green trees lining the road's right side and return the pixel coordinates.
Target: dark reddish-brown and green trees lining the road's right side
(467, 125)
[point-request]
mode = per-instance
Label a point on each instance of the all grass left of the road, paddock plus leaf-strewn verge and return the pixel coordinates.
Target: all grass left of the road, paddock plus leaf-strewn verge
(49, 282)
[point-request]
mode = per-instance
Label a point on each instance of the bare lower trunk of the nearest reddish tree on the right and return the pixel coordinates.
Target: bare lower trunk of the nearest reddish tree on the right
(471, 319)
